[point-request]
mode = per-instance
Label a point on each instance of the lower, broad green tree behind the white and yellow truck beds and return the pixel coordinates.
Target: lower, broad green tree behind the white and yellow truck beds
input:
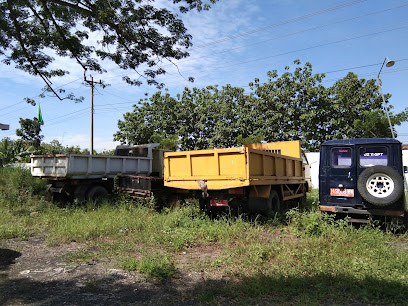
(200, 118)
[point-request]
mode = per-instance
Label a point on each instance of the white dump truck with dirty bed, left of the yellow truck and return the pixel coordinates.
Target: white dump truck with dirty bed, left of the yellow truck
(88, 177)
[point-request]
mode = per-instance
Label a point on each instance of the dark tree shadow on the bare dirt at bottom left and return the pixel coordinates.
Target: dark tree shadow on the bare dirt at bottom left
(103, 291)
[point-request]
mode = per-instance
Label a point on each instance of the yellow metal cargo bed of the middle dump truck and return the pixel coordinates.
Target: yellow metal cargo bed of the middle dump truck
(233, 167)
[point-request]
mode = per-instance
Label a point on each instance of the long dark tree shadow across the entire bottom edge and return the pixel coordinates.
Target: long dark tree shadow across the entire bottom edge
(262, 290)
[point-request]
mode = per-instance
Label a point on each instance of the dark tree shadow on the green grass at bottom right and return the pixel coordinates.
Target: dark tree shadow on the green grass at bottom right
(319, 290)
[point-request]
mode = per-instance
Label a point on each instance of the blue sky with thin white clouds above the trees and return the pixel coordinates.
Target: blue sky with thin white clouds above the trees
(235, 42)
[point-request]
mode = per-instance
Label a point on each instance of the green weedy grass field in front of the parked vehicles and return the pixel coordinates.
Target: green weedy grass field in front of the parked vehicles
(303, 256)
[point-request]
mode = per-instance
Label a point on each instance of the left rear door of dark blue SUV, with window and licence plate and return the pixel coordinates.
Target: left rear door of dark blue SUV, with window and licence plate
(341, 176)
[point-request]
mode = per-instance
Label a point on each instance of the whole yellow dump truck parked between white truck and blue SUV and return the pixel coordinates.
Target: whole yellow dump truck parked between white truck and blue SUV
(257, 176)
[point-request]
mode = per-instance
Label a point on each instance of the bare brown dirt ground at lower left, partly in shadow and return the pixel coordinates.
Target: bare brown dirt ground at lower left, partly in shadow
(32, 273)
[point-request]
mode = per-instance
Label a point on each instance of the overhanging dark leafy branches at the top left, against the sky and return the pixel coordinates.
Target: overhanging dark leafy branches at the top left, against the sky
(136, 35)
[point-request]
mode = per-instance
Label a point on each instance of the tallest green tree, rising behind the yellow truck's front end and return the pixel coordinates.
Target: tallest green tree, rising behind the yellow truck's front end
(292, 106)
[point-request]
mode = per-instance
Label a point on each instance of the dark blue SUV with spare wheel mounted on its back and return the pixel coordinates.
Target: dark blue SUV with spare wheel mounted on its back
(362, 177)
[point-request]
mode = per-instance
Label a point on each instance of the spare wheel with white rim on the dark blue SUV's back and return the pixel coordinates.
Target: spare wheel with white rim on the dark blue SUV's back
(380, 185)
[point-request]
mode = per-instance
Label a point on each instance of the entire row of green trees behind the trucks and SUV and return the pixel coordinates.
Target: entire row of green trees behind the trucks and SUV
(291, 106)
